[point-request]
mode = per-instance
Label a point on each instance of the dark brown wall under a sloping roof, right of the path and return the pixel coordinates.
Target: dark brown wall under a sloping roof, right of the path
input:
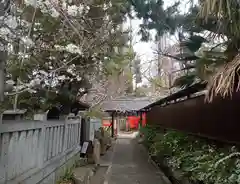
(218, 120)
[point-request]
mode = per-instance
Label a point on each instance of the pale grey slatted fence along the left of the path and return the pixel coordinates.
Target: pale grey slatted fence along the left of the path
(31, 150)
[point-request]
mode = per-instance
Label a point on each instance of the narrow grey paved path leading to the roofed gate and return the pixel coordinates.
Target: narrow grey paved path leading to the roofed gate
(130, 164)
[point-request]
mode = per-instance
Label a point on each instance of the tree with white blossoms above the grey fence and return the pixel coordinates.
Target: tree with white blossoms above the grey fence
(51, 48)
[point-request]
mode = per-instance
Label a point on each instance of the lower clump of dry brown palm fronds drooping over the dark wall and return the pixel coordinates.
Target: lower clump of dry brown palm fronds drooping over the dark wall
(223, 83)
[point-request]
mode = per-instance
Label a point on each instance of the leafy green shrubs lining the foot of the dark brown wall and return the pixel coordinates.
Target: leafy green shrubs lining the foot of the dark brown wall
(196, 158)
